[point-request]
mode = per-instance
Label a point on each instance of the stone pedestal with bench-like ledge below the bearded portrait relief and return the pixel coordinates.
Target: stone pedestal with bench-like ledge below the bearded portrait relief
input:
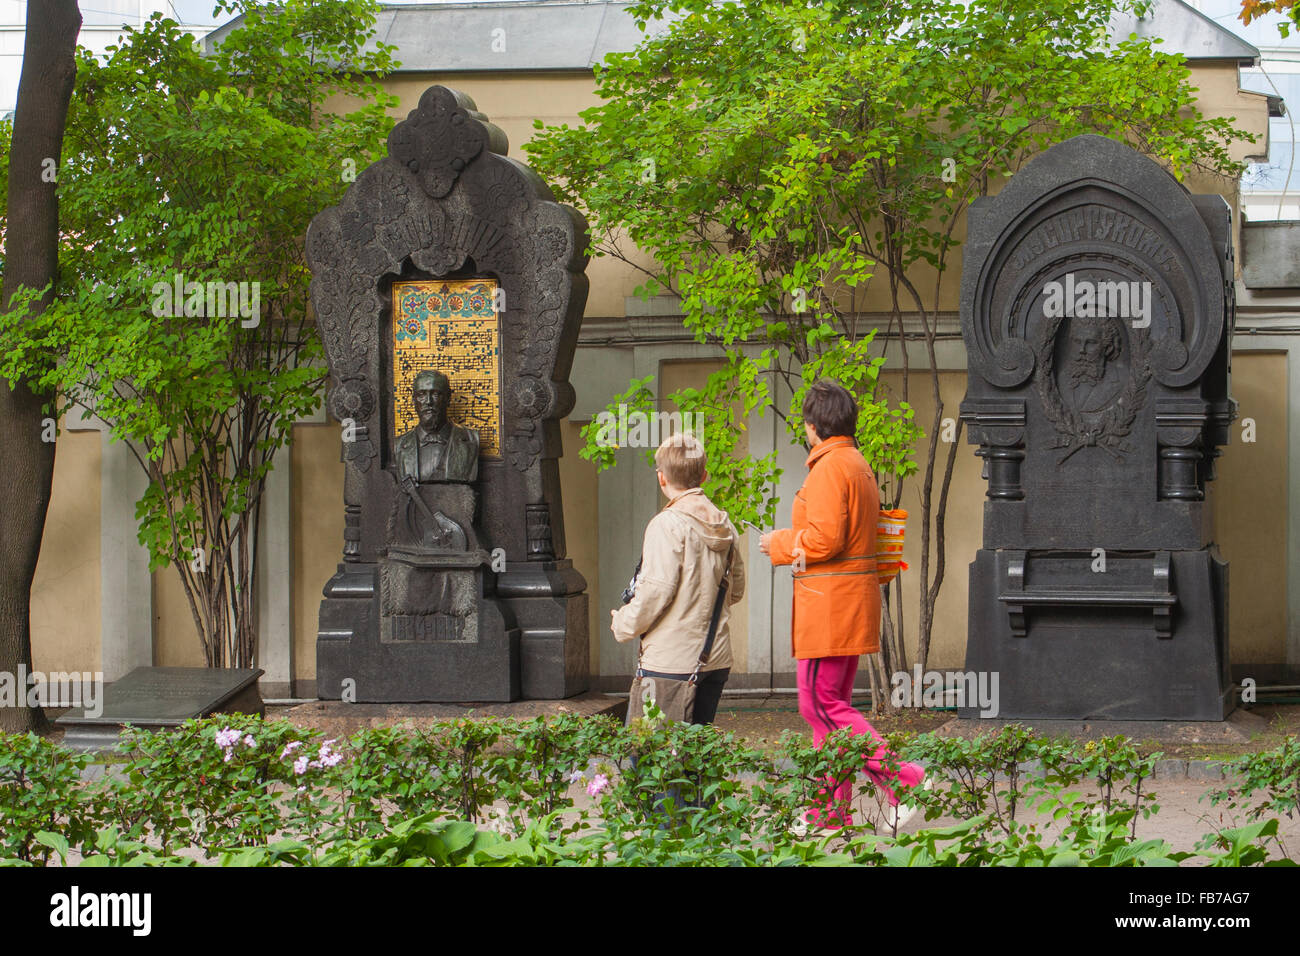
(1143, 642)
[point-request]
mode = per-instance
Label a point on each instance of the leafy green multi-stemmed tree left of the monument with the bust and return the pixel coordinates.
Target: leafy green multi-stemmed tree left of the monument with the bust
(181, 318)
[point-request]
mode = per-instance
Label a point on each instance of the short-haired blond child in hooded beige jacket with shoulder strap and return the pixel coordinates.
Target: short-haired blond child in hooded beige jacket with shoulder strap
(683, 561)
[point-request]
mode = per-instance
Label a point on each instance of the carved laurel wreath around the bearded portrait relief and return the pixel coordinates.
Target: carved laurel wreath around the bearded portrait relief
(1112, 427)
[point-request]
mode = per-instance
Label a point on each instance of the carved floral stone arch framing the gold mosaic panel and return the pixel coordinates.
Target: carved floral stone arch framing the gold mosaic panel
(445, 197)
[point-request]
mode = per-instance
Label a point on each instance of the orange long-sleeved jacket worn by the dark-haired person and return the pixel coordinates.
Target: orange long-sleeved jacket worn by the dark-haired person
(837, 598)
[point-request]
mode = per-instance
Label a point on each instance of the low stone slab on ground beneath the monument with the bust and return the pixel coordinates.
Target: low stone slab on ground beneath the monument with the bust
(337, 719)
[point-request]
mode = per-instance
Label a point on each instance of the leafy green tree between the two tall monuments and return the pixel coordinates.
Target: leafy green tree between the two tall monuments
(799, 174)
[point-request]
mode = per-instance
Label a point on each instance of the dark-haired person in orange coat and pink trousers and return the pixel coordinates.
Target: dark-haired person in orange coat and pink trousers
(837, 615)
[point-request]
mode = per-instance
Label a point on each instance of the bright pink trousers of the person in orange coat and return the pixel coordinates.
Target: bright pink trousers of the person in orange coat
(826, 689)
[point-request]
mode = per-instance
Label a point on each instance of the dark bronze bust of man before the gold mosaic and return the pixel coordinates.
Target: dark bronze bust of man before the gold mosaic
(436, 449)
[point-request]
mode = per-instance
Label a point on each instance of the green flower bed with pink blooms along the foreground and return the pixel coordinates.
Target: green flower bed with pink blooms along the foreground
(574, 790)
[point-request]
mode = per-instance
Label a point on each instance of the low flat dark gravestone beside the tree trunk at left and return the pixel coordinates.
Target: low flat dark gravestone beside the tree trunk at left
(159, 699)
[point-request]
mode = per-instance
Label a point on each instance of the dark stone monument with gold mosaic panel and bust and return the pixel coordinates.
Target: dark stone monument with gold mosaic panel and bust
(449, 289)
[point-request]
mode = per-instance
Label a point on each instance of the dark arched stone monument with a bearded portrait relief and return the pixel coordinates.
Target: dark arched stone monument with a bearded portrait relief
(1098, 314)
